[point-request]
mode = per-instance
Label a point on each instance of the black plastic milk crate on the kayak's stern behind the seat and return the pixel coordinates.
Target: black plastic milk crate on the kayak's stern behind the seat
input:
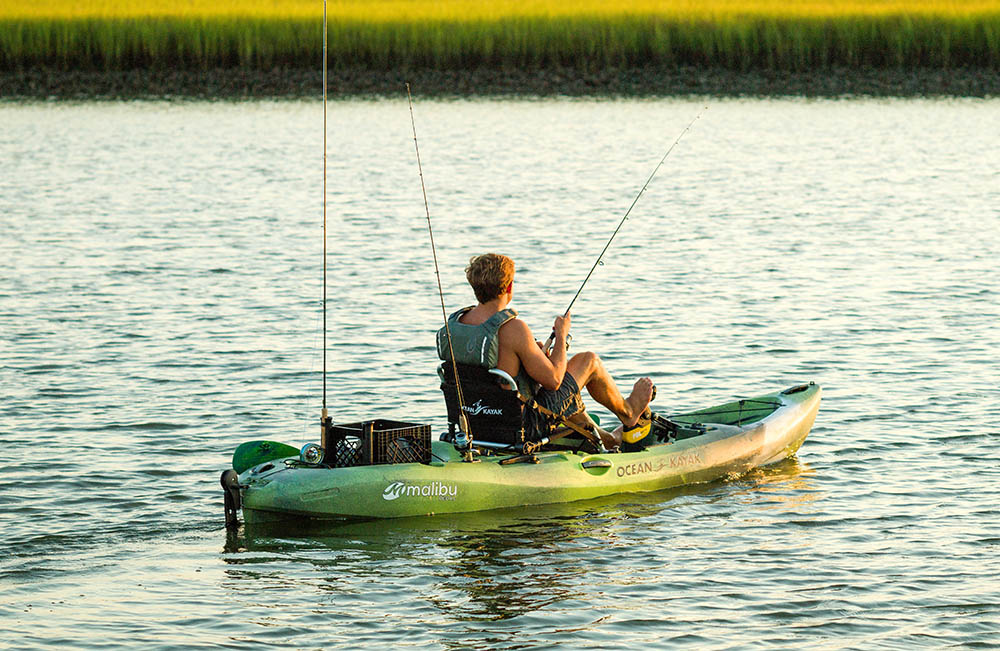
(377, 441)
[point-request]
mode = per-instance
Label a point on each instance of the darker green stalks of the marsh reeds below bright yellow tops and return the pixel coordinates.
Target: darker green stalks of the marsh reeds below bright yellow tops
(751, 42)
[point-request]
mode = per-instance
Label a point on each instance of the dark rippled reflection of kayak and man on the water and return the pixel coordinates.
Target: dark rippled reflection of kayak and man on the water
(490, 565)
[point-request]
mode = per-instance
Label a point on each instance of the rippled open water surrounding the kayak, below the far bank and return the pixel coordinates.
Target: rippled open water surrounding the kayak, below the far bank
(160, 304)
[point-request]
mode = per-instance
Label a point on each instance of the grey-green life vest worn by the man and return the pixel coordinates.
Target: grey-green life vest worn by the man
(479, 345)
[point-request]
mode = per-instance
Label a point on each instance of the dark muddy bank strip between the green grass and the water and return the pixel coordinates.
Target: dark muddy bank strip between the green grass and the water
(297, 83)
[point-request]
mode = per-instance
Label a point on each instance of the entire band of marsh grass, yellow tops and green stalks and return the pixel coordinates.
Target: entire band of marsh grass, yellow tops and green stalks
(454, 34)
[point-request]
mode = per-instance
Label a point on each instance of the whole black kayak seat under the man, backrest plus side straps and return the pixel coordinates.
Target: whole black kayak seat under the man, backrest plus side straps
(497, 413)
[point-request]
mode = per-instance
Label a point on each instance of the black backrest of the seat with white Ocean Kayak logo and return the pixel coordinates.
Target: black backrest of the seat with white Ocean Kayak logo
(494, 412)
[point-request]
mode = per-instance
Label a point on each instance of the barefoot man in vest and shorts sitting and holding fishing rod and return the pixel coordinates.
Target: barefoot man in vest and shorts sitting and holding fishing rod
(490, 335)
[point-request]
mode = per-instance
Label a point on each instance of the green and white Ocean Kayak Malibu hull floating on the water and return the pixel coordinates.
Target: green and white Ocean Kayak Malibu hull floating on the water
(273, 482)
